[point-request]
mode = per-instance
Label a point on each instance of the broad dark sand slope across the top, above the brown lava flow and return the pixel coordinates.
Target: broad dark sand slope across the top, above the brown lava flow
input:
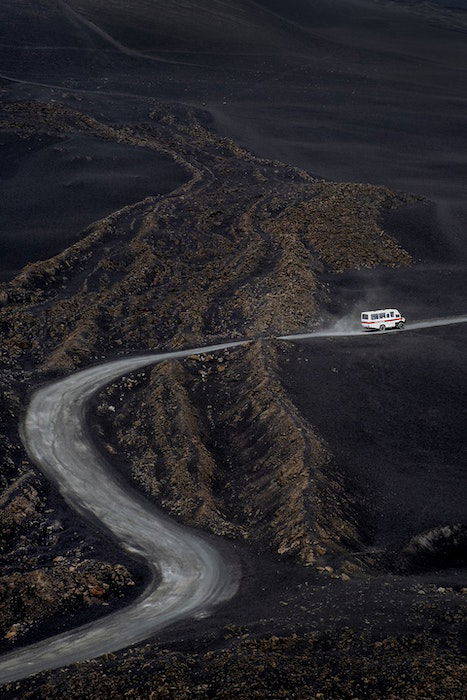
(355, 90)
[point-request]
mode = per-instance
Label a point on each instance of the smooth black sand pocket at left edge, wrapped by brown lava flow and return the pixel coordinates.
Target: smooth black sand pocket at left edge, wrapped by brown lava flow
(51, 189)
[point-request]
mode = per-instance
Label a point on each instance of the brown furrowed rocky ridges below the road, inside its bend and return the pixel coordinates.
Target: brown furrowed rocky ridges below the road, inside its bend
(217, 442)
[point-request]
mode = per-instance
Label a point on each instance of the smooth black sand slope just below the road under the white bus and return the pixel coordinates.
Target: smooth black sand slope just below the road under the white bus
(391, 407)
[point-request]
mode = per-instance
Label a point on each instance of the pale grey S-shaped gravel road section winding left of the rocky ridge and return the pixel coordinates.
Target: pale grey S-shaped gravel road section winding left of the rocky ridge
(189, 575)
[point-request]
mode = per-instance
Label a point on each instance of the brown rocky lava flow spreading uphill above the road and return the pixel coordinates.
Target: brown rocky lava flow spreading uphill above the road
(234, 252)
